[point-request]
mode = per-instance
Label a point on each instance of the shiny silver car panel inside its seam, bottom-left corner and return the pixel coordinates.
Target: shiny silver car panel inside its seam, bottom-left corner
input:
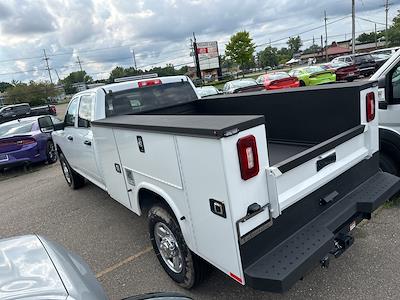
(27, 272)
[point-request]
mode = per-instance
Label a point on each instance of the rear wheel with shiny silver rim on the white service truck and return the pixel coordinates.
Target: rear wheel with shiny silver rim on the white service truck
(183, 266)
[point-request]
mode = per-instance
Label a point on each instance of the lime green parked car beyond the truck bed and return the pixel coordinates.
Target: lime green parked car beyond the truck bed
(313, 75)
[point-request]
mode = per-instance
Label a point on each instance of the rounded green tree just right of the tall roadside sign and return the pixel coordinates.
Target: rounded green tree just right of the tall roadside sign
(241, 49)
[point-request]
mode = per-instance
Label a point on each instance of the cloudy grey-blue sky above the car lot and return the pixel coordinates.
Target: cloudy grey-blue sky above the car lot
(102, 33)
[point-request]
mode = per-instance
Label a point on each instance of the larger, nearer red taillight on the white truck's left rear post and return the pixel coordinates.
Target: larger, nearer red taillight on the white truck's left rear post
(248, 157)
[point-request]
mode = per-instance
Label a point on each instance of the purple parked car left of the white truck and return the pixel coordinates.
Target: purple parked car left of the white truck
(23, 142)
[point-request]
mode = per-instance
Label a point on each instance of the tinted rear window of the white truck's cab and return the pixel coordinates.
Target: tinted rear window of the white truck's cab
(148, 98)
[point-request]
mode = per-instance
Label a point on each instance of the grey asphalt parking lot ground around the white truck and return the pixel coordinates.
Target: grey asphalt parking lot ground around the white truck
(115, 244)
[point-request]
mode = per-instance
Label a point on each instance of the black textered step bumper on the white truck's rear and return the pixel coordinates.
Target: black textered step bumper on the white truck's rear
(291, 257)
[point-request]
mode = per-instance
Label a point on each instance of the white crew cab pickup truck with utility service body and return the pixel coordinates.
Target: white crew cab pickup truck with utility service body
(263, 186)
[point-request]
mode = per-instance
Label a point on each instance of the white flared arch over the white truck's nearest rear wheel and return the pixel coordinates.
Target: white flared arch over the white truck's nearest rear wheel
(182, 219)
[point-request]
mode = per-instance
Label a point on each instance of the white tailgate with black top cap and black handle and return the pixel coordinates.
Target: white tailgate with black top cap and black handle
(301, 174)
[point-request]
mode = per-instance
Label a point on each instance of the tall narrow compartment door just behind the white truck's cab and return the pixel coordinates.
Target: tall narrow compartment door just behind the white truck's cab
(110, 164)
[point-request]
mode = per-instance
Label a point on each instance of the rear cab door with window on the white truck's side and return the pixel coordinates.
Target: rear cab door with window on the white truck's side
(83, 138)
